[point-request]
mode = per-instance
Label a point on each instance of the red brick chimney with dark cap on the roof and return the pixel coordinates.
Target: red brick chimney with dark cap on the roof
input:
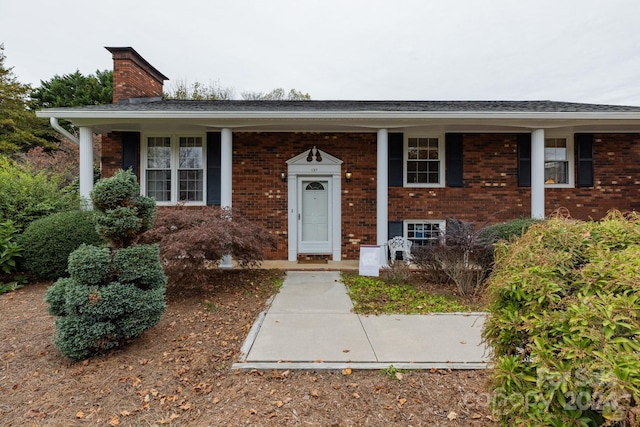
(133, 76)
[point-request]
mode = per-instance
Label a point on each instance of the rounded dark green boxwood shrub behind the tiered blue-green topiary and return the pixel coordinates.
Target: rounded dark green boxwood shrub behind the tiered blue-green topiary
(47, 242)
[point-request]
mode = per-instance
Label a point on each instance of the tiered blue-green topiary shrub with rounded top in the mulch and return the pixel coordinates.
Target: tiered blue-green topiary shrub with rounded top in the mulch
(113, 293)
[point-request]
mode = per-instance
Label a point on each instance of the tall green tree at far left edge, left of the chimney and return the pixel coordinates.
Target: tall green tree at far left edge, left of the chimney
(20, 129)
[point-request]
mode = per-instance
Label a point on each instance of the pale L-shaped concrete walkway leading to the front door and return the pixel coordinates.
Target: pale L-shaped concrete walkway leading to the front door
(310, 325)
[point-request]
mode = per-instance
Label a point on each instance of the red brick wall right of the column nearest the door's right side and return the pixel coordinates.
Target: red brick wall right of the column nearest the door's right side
(491, 193)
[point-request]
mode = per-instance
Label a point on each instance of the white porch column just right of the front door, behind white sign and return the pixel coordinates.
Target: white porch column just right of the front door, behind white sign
(382, 193)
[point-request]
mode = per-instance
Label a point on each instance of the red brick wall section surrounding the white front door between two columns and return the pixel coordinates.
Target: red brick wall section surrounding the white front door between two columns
(259, 194)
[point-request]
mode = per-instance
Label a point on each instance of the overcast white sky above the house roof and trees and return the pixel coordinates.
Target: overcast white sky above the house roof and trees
(561, 50)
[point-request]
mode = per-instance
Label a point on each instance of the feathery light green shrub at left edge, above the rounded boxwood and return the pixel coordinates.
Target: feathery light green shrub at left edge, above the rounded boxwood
(27, 195)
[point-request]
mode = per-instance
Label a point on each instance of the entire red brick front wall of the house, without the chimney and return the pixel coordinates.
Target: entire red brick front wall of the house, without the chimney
(490, 193)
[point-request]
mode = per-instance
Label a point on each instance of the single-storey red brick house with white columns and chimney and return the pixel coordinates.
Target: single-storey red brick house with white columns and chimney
(328, 176)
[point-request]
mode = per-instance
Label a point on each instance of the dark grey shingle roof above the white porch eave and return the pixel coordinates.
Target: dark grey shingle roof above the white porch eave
(359, 106)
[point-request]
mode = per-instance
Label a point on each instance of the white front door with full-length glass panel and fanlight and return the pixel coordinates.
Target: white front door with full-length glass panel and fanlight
(315, 216)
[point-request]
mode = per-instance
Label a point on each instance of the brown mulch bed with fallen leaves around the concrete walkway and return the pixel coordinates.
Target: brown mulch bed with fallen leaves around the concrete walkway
(179, 373)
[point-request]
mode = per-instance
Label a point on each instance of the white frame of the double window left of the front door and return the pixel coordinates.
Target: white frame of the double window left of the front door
(174, 161)
